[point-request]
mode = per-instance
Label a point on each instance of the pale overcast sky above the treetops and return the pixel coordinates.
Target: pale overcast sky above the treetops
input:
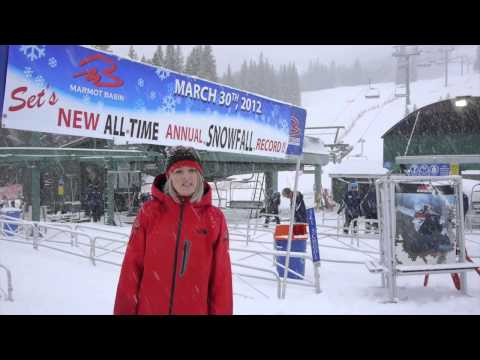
(278, 54)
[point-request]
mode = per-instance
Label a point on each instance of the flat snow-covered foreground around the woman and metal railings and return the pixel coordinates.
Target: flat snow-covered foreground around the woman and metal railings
(46, 281)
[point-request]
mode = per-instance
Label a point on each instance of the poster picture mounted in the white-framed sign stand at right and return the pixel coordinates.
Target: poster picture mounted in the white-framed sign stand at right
(426, 219)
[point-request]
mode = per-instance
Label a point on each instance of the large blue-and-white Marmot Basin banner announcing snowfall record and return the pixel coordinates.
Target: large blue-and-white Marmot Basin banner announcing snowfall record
(74, 90)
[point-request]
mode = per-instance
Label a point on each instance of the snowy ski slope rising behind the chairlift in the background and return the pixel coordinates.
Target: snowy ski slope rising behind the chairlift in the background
(369, 119)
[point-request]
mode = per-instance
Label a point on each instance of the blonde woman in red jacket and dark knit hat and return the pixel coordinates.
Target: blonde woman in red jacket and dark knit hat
(177, 259)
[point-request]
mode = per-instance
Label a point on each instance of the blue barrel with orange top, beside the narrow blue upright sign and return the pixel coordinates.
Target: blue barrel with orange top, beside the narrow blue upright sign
(299, 244)
